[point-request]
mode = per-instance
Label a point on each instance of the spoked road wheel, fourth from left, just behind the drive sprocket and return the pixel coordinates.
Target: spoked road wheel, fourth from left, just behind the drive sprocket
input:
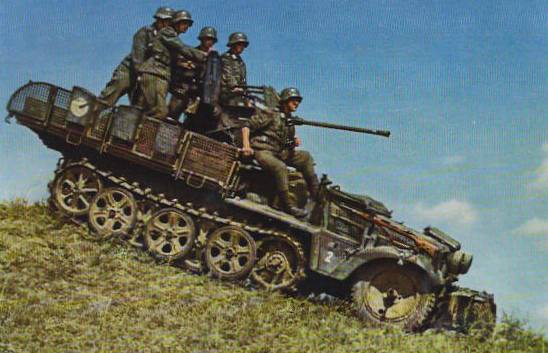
(230, 253)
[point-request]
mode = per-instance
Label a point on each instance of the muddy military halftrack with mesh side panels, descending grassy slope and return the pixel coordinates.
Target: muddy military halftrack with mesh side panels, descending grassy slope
(190, 199)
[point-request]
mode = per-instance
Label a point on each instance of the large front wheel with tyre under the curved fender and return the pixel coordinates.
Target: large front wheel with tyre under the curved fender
(387, 294)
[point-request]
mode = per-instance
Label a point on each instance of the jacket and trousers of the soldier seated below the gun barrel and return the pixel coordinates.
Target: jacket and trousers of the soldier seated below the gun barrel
(269, 137)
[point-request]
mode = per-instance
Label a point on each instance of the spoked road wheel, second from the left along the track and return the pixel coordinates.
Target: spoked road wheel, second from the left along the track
(113, 212)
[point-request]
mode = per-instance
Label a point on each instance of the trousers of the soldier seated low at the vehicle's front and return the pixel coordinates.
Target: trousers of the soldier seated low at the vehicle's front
(276, 164)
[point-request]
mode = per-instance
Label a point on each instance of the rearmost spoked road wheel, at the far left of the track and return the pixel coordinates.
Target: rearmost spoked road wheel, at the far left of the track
(74, 189)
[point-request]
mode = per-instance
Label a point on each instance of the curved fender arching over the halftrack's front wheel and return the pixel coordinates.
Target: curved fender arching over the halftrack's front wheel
(347, 268)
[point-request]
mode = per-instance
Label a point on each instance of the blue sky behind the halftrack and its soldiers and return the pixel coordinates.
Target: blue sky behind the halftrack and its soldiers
(462, 85)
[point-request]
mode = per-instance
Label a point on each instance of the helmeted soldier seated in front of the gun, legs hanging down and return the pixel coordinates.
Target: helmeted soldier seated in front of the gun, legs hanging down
(272, 141)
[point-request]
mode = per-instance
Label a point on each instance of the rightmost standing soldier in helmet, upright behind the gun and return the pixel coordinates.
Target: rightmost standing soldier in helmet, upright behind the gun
(234, 70)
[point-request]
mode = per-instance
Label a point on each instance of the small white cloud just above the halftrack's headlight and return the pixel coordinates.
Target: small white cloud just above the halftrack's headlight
(456, 212)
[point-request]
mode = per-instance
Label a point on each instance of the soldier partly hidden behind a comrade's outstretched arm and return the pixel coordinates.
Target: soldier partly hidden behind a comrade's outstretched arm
(187, 76)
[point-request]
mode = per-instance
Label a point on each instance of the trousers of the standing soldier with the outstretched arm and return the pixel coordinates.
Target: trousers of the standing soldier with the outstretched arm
(154, 92)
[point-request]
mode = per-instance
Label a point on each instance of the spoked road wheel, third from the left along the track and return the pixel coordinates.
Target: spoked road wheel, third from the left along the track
(170, 234)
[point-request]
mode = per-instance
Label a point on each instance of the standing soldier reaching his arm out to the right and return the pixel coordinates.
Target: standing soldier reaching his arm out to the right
(156, 70)
